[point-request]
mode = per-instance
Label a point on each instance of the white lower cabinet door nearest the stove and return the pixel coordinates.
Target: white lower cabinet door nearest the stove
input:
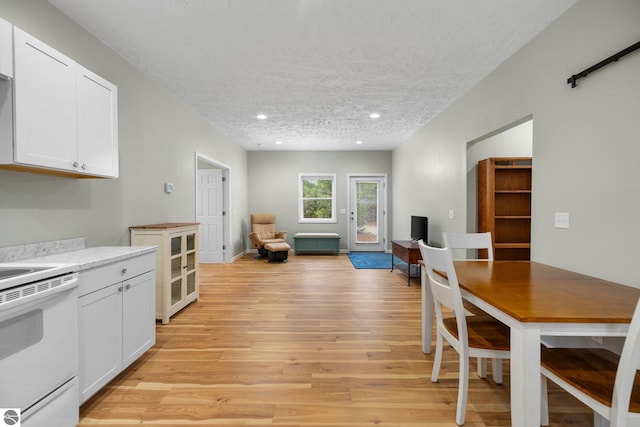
(100, 321)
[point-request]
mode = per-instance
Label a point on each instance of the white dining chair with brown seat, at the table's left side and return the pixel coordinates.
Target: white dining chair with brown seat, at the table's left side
(470, 336)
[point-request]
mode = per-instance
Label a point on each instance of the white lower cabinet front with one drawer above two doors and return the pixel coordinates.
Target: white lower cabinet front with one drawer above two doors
(117, 319)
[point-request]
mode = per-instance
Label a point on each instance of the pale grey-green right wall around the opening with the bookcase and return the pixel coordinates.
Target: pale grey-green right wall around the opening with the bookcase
(586, 143)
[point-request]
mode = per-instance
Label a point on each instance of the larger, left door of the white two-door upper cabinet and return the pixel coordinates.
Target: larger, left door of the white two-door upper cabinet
(45, 105)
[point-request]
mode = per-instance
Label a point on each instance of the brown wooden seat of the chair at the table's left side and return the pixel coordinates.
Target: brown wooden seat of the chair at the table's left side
(484, 332)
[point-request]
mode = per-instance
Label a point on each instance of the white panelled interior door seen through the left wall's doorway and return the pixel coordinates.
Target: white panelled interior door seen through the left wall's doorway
(209, 213)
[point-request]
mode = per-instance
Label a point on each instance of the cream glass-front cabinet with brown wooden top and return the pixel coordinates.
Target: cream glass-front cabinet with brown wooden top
(177, 264)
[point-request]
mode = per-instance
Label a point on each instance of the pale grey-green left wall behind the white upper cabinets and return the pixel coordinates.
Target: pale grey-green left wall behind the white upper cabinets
(158, 136)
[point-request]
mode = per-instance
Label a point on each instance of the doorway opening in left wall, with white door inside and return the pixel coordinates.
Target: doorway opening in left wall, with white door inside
(212, 208)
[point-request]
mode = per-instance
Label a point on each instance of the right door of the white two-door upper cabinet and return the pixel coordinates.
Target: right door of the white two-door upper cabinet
(97, 124)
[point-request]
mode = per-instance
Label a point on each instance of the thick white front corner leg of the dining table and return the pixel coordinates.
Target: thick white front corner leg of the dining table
(525, 376)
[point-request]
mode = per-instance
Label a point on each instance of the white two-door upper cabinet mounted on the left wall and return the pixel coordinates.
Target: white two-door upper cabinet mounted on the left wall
(66, 117)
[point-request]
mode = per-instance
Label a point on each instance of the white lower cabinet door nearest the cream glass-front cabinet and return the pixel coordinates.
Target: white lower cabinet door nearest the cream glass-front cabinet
(139, 320)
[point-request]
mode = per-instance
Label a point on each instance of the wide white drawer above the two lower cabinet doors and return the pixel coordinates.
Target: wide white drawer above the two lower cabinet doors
(105, 275)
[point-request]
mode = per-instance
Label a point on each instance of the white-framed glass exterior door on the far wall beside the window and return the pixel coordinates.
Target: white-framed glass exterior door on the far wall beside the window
(367, 196)
